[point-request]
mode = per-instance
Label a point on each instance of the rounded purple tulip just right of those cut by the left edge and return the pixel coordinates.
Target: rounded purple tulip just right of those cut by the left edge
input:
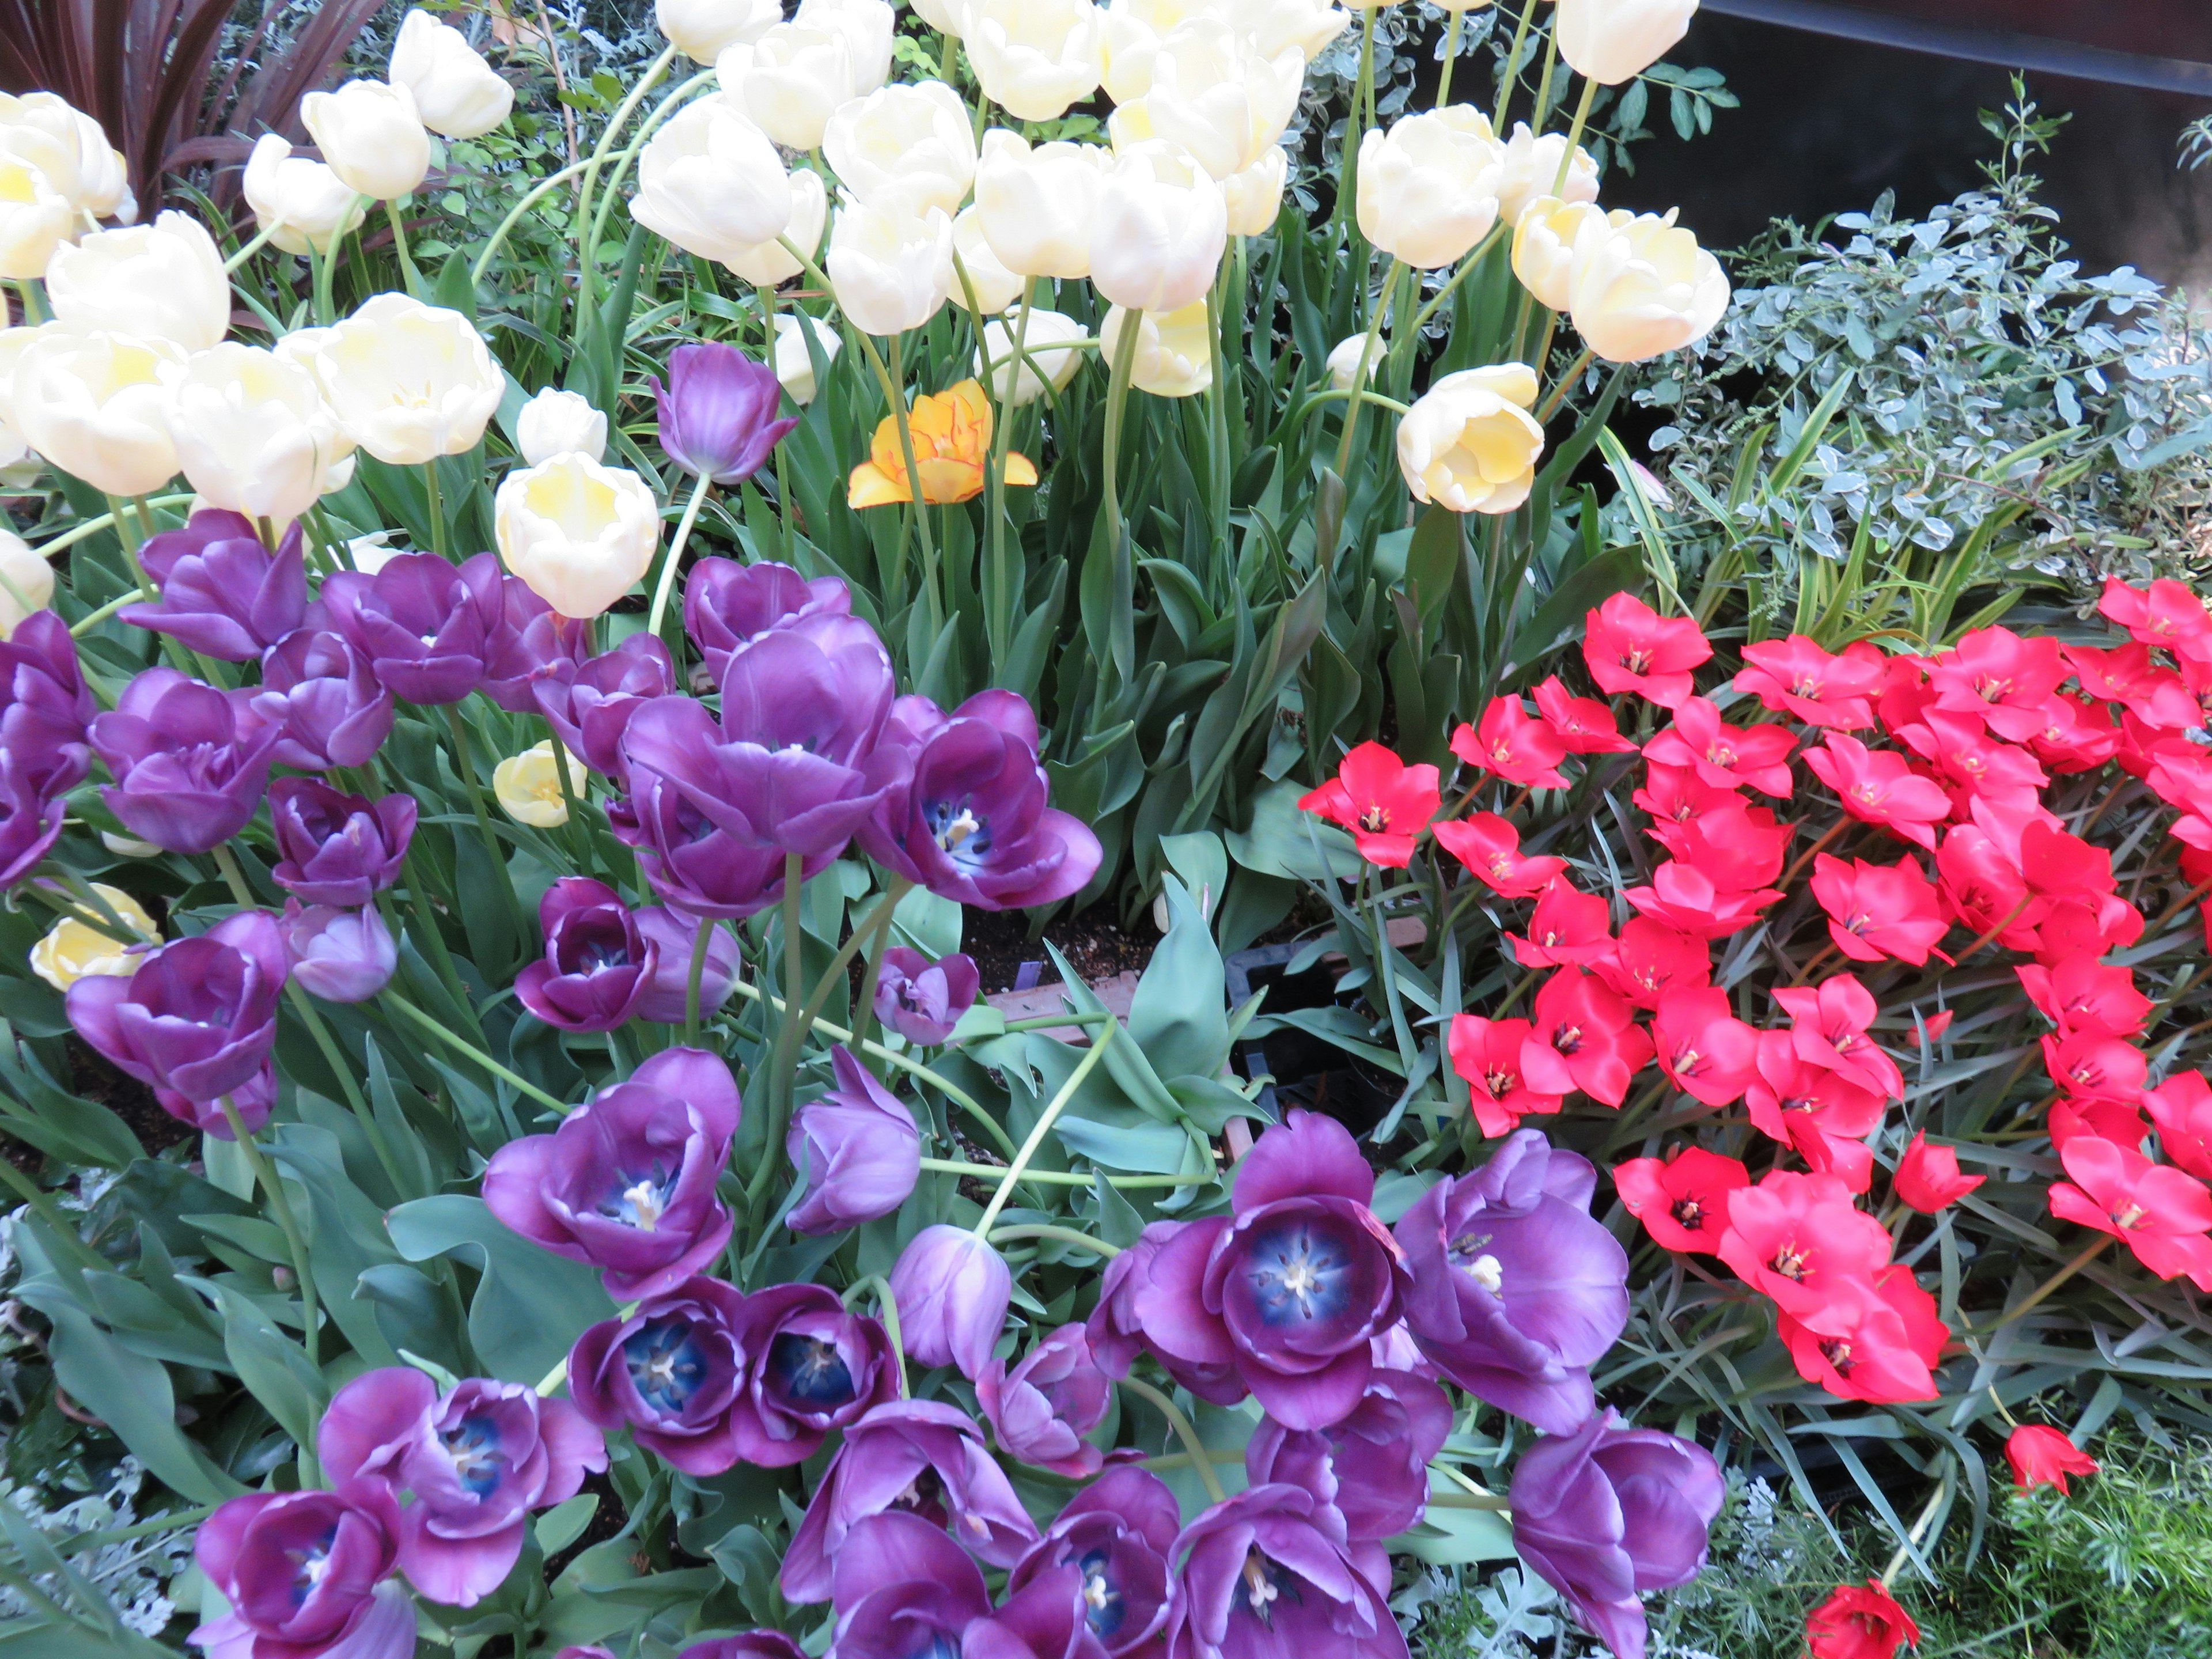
(189, 760)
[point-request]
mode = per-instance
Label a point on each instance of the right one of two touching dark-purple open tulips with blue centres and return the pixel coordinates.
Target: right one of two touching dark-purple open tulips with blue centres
(811, 1368)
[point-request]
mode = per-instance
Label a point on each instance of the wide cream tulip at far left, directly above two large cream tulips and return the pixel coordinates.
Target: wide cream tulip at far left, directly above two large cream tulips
(165, 282)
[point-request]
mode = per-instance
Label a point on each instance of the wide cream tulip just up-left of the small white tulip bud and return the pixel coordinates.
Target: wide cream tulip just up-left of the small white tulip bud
(408, 382)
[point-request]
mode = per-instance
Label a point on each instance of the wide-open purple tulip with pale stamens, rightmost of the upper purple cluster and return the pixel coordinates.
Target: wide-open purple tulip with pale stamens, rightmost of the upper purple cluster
(963, 806)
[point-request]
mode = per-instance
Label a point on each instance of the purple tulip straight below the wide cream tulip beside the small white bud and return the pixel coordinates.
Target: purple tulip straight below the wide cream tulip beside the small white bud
(424, 625)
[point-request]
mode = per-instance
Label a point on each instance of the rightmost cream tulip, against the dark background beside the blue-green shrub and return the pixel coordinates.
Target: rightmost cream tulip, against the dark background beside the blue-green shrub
(1642, 286)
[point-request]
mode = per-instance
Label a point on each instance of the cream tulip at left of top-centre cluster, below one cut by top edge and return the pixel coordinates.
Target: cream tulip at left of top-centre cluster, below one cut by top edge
(711, 182)
